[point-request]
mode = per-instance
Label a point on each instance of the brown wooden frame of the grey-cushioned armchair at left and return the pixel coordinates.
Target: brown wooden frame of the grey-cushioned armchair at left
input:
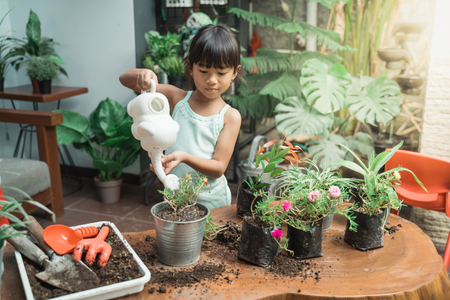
(45, 123)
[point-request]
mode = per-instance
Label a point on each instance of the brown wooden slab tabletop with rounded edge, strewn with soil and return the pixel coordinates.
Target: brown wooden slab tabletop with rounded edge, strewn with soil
(407, 267)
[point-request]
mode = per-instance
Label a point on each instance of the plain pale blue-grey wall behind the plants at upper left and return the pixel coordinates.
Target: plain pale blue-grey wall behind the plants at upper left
(97, 43)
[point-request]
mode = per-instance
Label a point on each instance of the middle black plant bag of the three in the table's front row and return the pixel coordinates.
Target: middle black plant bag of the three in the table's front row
(306, 244)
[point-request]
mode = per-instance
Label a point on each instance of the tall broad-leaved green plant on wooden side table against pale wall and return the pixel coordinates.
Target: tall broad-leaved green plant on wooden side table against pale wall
(34, 45)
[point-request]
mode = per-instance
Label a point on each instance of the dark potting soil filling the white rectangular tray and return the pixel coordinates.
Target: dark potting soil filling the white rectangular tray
(121, 267)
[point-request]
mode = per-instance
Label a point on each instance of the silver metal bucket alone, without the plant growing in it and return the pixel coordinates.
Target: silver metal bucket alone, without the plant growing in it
(179, 243)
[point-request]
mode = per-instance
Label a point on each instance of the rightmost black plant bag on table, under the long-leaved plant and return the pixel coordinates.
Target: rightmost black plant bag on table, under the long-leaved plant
(370, 233)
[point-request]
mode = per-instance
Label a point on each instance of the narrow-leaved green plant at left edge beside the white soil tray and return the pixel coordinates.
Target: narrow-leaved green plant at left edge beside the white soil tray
(10, 208)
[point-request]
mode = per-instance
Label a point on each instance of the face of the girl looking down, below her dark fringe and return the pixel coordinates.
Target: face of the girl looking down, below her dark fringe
(212, 82)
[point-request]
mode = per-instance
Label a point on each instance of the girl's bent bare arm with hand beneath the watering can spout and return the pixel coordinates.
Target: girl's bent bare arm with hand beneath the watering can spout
(216, 166)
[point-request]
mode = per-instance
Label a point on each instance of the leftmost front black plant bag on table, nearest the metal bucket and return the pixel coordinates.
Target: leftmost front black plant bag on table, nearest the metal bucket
(257, 245)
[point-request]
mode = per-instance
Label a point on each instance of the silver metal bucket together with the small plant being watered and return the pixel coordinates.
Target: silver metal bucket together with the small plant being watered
(180, 222)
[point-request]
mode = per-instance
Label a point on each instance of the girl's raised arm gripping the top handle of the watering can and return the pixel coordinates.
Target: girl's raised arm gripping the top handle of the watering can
(139, 80)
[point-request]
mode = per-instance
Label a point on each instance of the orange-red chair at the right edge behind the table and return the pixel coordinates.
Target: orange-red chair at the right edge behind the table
(434, 173)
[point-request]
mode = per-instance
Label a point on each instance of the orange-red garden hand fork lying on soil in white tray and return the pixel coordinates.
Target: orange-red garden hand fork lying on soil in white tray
(94, 246)
